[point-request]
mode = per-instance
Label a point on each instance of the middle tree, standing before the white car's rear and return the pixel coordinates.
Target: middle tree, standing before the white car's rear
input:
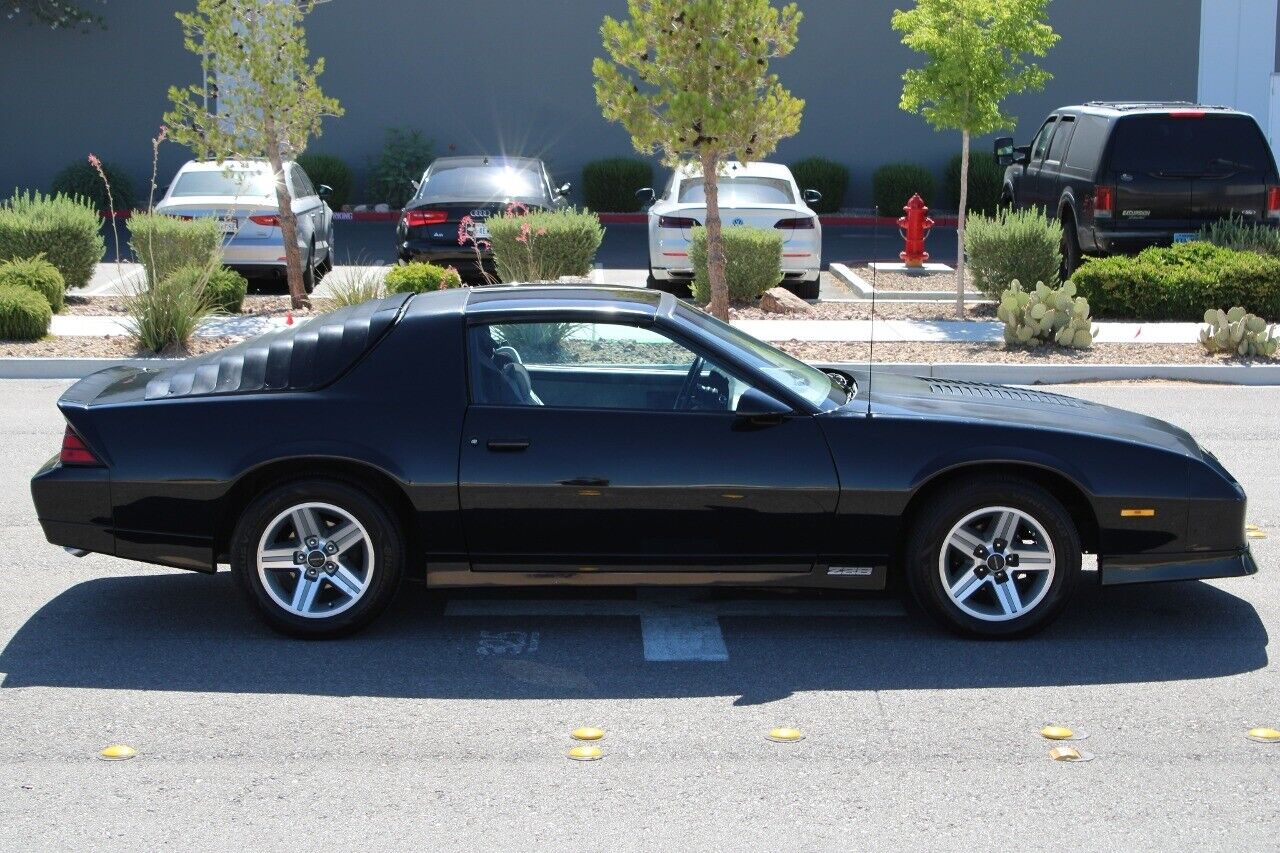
(691, 80)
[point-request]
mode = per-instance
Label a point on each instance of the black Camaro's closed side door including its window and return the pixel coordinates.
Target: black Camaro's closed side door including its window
(618, 448)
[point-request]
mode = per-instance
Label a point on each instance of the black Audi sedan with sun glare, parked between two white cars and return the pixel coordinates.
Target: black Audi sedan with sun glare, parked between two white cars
(446, 221)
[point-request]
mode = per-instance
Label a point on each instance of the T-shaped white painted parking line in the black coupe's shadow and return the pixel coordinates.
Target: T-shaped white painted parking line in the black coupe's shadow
(673, 626)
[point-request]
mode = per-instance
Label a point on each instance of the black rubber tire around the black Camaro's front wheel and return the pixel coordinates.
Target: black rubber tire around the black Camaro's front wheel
(990, 614)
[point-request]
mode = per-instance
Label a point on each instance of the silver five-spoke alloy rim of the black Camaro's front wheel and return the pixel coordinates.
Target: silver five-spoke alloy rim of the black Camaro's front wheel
(998, 564)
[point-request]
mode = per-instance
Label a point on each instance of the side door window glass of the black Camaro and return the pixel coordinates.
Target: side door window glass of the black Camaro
(595, 366)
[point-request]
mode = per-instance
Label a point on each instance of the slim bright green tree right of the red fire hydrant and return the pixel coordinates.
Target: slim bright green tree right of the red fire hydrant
(976, 58)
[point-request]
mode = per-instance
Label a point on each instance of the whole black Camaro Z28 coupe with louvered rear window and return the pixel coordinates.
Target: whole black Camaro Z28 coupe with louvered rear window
(574, 436)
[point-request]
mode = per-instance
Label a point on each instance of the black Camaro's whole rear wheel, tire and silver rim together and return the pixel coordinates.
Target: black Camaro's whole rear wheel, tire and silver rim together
(319, 559)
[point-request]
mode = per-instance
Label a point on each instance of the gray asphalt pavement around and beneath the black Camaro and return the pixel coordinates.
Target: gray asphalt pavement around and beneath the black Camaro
(446, 726)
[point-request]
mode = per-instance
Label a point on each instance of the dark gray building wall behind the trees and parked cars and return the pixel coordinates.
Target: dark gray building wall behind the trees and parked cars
(515, 76)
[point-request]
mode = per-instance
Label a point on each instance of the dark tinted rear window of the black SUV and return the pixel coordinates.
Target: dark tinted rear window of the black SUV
(1190, 145)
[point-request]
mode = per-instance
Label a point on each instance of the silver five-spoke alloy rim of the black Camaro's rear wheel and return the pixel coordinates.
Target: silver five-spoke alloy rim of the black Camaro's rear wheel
(316, 560)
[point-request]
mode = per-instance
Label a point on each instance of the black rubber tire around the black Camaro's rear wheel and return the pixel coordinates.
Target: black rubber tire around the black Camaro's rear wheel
(385, 546)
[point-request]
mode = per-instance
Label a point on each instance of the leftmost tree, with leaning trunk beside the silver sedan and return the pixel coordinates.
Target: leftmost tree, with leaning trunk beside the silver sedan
(271, 102)
